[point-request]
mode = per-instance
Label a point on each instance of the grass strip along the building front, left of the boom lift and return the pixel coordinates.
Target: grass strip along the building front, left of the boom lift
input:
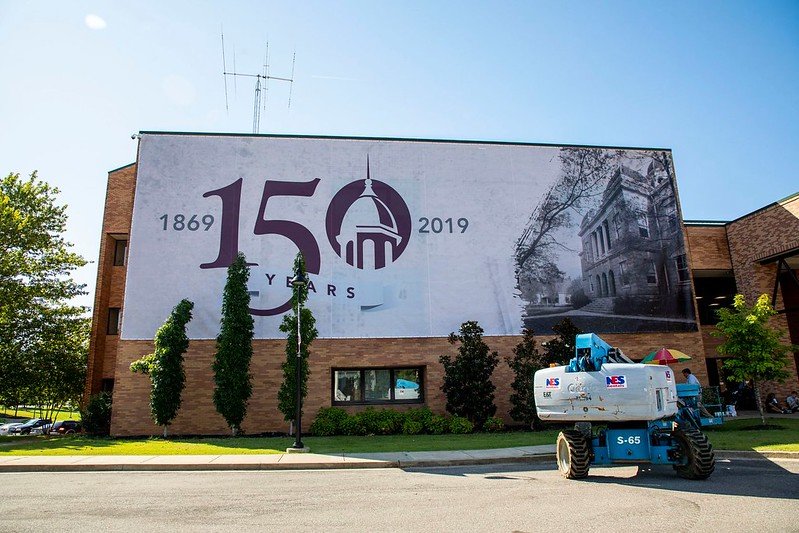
(264, 445)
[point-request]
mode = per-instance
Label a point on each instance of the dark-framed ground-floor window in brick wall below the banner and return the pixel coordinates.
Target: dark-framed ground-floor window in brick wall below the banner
(378, 385)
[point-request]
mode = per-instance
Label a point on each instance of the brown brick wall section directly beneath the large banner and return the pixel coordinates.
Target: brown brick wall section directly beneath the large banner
(198, 416)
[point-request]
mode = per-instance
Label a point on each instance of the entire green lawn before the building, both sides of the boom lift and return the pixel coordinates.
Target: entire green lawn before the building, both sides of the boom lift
(733, 435)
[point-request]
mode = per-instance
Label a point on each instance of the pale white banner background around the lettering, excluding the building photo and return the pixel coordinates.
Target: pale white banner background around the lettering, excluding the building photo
(439, 281)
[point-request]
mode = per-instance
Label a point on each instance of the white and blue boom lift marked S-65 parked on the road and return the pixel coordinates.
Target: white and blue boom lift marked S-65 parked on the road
(643, 417)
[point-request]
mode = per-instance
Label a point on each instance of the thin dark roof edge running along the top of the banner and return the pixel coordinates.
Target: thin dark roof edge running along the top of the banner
(402, 139)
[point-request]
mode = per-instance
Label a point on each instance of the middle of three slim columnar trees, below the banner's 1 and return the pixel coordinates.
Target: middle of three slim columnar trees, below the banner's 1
(234, 348)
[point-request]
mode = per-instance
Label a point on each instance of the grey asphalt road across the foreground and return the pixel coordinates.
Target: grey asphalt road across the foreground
(742, 495)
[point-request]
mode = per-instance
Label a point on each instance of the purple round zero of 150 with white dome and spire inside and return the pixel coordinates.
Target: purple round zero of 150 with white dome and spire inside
(368, 224)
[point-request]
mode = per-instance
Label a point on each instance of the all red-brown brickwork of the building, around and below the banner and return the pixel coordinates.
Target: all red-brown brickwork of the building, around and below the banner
(110, 358)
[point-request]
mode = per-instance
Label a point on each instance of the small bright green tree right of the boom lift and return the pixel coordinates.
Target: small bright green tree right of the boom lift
(755, 348)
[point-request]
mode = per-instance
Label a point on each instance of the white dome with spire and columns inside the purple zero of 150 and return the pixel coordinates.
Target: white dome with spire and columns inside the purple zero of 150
(369, 235)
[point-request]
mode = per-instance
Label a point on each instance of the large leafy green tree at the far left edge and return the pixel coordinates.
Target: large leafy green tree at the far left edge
(40, 332)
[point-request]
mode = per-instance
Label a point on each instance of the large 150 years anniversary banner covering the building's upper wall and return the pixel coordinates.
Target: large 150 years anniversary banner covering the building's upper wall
(408, 238)
